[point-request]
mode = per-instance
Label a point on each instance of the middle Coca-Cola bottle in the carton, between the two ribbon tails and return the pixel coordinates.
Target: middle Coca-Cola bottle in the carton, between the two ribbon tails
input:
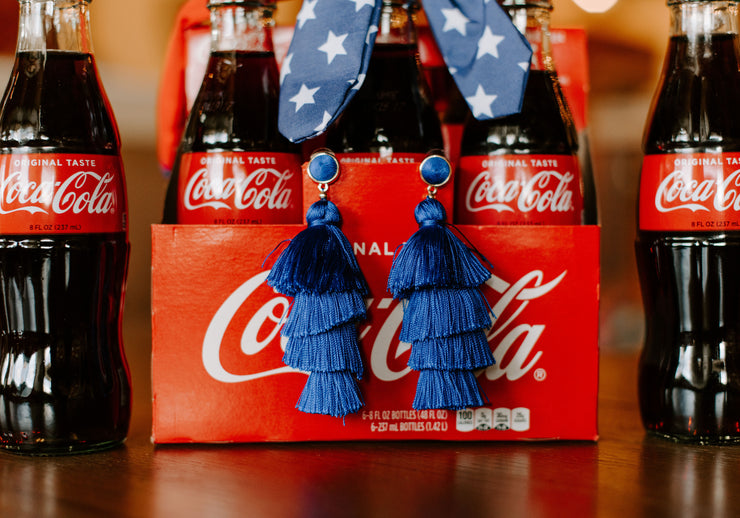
(392, 117)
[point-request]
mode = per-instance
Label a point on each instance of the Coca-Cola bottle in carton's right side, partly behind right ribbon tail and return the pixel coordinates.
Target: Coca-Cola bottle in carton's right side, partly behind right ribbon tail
(523, 169)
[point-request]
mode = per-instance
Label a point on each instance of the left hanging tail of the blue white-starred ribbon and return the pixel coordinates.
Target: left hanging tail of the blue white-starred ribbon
(326, 63)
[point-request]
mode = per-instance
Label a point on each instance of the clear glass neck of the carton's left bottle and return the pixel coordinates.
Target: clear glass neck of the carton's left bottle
(241, 26)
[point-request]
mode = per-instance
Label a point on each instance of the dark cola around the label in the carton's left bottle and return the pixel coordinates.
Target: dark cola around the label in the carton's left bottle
(236, 110)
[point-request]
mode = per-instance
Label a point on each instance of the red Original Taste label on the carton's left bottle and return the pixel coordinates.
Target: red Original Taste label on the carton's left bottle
(239, 188)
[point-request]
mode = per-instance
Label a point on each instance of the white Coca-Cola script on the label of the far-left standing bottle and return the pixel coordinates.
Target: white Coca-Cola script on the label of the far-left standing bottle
(84, 192)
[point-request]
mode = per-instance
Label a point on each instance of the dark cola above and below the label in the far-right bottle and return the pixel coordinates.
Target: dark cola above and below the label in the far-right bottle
(689, 371)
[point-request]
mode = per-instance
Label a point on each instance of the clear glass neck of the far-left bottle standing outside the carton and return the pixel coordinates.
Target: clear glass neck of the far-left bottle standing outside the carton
(54, 25)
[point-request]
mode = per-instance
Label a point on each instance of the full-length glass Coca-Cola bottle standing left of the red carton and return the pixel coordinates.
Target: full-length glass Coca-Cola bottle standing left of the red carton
(64, 380)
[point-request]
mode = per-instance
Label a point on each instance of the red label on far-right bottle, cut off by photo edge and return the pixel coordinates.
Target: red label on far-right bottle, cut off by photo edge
(684, 192)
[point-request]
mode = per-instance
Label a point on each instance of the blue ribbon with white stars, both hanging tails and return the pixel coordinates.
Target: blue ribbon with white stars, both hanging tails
(333, 39)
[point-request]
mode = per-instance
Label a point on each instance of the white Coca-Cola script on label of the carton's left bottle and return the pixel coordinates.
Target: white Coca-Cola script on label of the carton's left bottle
(263, 188)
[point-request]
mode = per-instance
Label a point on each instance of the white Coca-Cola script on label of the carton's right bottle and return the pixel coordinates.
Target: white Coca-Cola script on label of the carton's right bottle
(546, 191)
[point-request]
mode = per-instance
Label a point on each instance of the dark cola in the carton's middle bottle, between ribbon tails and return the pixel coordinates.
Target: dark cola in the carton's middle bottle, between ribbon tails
(392, 112)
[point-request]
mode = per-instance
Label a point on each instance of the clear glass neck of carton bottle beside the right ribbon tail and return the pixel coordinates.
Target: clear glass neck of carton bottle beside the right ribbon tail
(533, 20)
